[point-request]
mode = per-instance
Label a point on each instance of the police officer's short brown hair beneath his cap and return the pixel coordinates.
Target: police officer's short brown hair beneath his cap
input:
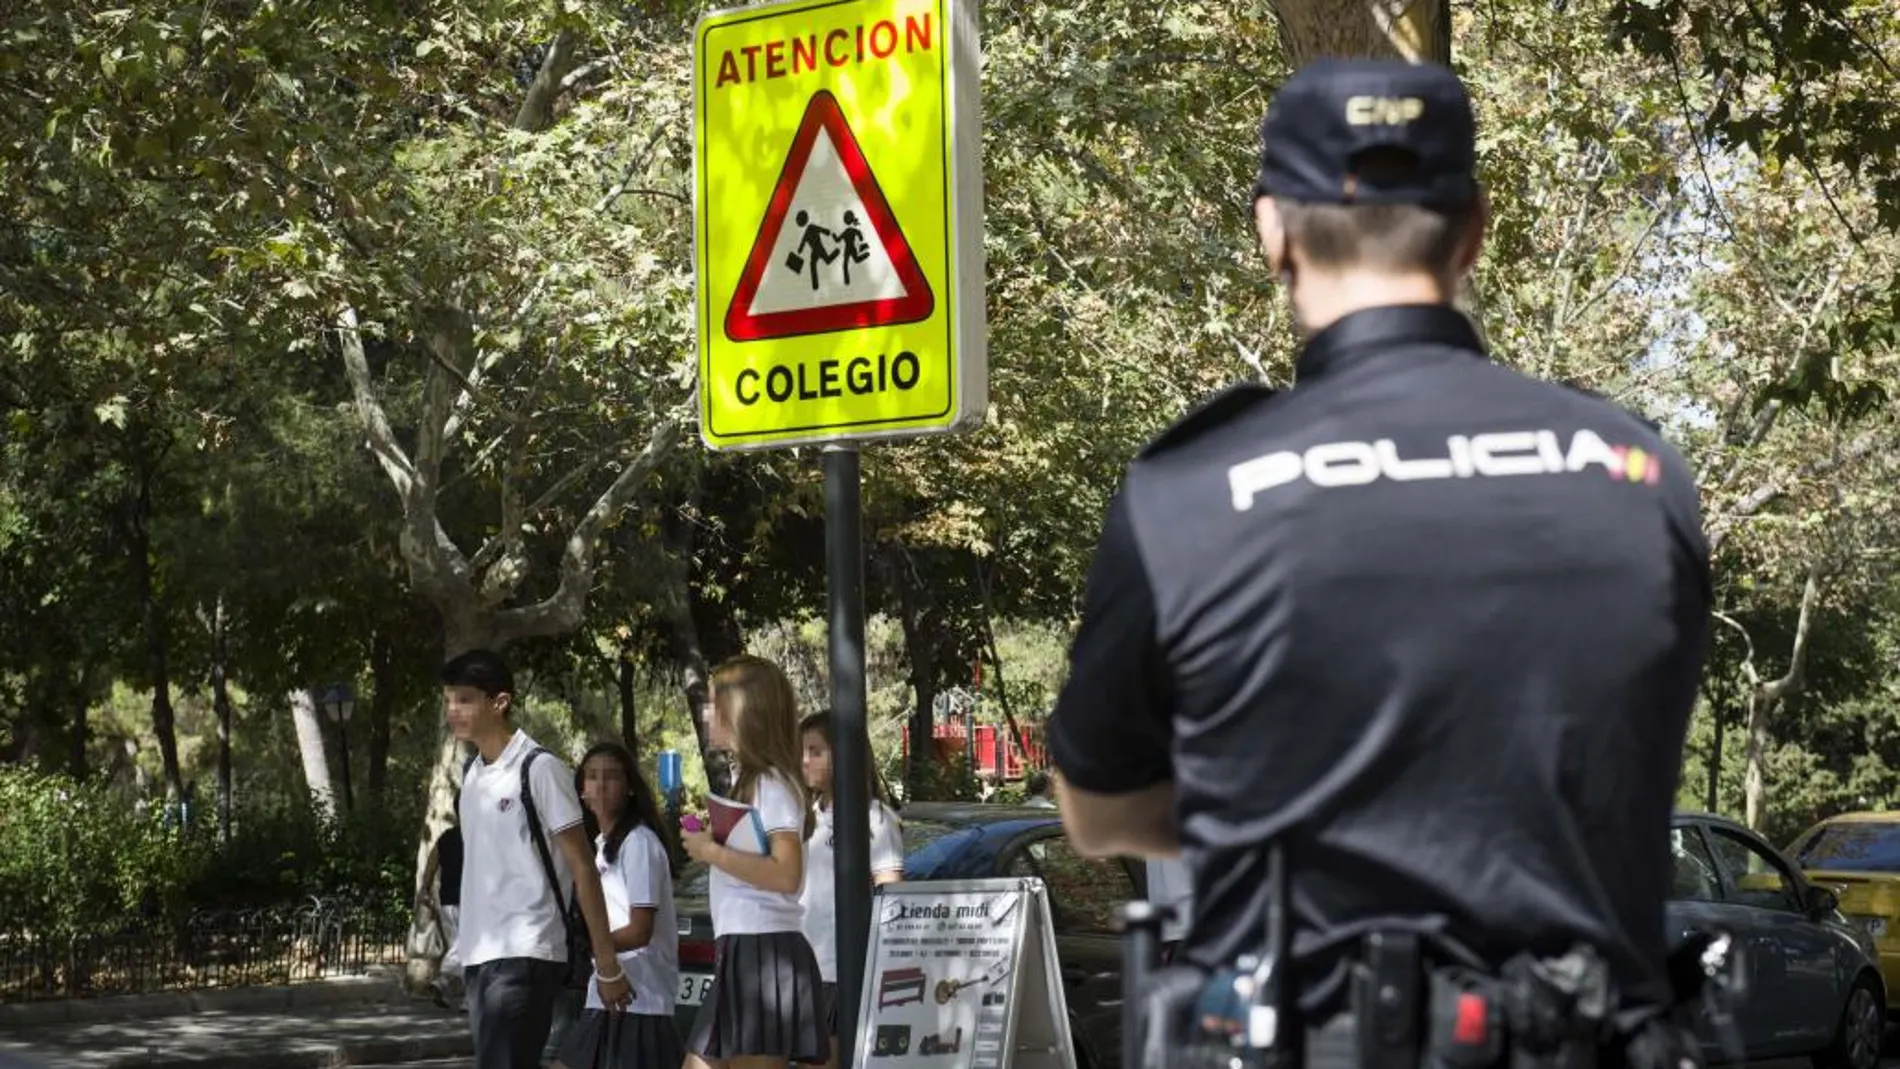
(1382, 236)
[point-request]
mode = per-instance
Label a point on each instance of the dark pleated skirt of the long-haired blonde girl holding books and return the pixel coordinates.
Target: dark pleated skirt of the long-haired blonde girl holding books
(767, 1002)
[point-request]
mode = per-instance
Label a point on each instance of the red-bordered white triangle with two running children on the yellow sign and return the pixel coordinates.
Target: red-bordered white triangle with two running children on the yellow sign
(829, 253)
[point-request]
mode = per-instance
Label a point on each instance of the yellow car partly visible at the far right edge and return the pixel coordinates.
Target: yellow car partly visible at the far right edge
(1857, 855)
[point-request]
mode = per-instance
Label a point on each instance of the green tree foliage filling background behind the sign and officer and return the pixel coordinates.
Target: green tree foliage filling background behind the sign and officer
(1686, 221)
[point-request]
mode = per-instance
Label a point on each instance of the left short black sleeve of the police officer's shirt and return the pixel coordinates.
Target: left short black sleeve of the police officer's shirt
(1112, 726)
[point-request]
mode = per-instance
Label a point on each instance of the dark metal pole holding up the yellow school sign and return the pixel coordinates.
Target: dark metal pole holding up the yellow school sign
(845, 565)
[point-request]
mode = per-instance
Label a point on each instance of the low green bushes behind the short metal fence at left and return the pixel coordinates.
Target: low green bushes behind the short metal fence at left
(83, 857)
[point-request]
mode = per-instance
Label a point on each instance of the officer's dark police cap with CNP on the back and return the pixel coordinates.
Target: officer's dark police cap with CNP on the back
(1333, 113)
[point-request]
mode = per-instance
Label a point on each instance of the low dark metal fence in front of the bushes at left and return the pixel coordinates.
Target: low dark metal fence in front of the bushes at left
(212, 948)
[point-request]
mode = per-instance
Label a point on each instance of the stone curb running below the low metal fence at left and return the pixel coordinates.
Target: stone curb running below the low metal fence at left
(381, 985)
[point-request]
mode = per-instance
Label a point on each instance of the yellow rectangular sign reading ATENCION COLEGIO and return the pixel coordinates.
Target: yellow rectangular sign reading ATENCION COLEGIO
(839, 221)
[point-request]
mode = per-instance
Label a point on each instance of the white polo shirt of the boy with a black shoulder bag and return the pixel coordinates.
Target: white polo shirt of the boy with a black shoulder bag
(508, 910)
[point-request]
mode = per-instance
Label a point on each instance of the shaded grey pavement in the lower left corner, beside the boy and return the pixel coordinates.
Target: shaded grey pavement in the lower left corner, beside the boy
(282, 1028)
